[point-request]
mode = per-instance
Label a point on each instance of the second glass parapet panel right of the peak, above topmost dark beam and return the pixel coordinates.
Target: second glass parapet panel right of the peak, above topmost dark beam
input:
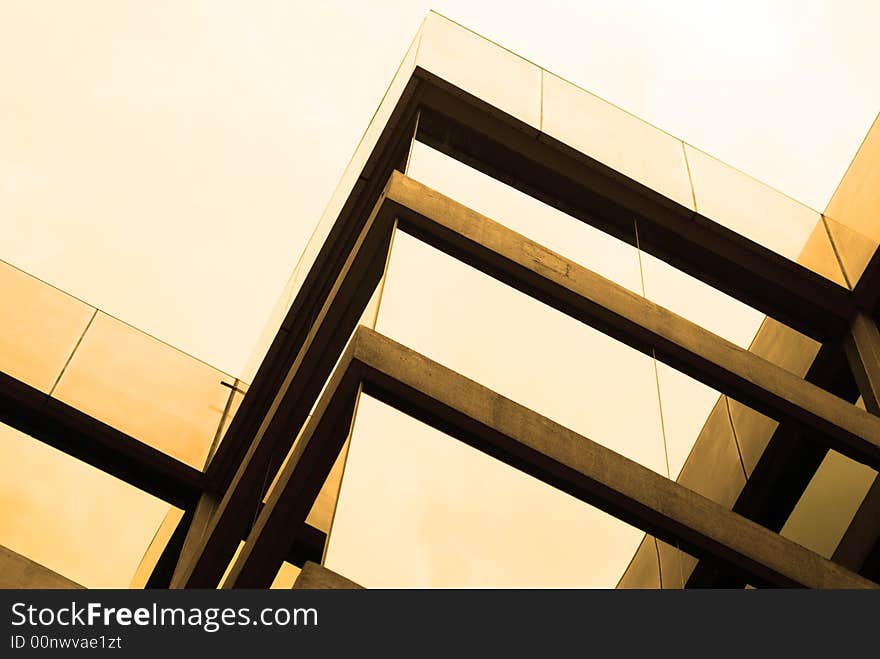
(615, 138)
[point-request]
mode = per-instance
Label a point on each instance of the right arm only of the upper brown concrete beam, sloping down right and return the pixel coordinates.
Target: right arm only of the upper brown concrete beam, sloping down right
(630, 318)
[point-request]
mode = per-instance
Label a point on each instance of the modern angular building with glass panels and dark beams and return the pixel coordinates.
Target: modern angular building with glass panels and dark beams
(533, 341)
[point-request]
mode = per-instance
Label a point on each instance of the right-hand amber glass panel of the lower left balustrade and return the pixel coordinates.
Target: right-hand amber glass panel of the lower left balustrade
(146, 389)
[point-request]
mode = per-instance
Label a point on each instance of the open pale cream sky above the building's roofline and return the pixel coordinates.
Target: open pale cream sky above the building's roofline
(184, 150)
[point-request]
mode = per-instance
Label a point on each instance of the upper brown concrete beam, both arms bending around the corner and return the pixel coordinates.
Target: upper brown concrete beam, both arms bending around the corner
(528, 266)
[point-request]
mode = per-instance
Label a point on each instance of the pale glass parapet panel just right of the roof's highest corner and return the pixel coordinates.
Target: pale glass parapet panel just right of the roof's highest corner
(481, 68)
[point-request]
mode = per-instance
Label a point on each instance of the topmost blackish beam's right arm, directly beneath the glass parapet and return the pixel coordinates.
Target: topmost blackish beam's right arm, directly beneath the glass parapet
(468, 130)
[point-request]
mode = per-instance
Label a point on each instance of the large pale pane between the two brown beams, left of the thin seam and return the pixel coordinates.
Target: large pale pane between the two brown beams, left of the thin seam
(522, 349)
